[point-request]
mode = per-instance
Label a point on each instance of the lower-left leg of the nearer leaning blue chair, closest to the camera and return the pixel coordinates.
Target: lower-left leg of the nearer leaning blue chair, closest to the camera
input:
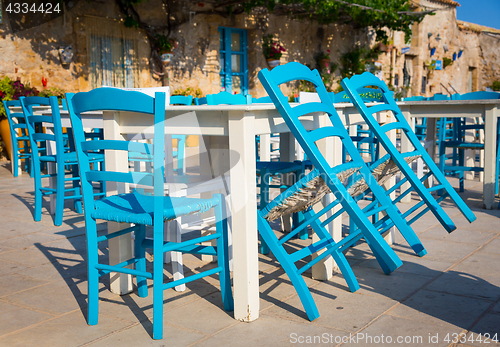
(297, 280)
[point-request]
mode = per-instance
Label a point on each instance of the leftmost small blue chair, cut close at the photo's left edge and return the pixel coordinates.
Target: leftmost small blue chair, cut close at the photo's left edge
(18, 135)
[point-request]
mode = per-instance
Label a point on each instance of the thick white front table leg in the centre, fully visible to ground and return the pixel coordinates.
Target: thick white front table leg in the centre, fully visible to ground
(244, 215)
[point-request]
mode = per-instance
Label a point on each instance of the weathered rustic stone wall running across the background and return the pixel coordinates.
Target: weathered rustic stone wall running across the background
(33, 53)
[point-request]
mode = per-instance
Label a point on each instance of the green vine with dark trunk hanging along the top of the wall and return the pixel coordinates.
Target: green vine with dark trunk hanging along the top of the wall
(377, 14)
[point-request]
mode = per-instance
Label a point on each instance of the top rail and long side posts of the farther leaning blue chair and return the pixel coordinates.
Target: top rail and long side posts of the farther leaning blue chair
(368, 79)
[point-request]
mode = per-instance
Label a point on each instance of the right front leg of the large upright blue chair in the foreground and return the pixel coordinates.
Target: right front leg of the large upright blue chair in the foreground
(223, 254)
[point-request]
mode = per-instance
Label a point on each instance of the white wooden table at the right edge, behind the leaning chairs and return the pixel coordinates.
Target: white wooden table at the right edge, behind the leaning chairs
(489, 109)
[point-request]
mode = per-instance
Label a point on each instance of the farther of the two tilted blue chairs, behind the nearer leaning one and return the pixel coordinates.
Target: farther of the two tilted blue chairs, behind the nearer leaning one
(402, 159)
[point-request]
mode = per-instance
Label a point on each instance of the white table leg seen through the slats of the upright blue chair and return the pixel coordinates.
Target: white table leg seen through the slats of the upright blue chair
(120, 248)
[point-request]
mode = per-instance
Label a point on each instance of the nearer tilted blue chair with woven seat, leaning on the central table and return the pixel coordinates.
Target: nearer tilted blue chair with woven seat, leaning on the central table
(320, 181)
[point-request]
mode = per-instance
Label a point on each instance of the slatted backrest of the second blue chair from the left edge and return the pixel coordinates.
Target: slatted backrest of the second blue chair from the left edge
(36, 133)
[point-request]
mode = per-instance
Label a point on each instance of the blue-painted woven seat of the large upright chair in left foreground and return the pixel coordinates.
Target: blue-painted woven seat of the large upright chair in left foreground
(138, 208)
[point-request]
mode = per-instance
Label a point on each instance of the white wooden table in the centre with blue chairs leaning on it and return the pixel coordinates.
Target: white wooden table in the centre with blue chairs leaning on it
(231, 130)
